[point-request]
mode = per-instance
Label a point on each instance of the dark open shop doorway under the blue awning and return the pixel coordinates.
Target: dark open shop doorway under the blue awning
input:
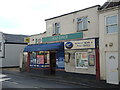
(52, 63)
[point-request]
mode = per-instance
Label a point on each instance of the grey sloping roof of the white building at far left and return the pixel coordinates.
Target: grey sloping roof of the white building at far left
(12, 38)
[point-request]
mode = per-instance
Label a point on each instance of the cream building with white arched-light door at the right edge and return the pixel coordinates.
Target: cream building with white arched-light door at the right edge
(109, 41)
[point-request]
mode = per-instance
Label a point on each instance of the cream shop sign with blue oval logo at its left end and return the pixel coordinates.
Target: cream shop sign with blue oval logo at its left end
(81, 44)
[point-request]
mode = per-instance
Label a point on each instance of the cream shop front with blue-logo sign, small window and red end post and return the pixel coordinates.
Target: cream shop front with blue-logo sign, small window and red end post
(82, 56)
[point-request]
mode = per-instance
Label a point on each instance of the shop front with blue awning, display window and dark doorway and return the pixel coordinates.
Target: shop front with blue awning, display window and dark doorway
(45, 58)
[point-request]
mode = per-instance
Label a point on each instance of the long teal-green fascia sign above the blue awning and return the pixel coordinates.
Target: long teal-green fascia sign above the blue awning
(63, 37)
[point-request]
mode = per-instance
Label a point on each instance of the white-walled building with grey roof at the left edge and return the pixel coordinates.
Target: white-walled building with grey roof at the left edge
(10, 48)
